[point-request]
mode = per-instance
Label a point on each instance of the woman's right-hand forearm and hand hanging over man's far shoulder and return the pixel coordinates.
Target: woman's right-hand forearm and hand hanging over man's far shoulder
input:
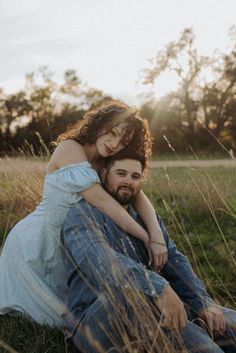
(157, 247)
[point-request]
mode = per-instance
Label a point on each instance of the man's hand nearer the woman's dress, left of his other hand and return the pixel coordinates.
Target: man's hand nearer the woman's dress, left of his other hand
(172, 310)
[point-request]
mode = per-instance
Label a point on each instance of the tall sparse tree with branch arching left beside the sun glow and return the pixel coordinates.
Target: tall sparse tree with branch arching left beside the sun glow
(182, 58)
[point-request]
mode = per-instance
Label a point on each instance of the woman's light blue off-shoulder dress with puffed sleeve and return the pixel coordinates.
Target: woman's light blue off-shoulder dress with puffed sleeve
(32, 263)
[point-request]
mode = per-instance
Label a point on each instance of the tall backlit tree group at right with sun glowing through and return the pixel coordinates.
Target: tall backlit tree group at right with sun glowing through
(205, 107)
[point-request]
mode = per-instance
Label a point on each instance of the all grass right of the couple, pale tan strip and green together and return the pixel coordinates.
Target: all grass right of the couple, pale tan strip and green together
(199, 209)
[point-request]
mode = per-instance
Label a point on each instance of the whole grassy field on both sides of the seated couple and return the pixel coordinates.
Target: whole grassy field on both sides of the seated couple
(198, 206)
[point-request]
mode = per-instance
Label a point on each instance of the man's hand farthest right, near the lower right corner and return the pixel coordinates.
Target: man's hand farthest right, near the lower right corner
(214, 320)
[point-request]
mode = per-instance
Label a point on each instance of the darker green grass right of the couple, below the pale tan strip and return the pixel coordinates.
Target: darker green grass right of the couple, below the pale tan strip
(210, 247)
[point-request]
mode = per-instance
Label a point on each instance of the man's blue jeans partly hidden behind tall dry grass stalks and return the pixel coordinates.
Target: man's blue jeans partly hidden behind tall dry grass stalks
(104, 327)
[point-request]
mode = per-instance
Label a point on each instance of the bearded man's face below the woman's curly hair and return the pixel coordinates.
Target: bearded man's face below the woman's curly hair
(123, 180)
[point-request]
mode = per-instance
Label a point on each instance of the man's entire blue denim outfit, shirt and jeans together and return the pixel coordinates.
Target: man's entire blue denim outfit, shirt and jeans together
(101, 319)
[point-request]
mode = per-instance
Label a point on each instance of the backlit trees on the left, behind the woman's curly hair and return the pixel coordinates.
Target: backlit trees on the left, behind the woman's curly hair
(50, 108)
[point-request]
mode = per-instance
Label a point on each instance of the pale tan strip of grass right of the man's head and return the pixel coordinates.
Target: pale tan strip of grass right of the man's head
(197, 190)
